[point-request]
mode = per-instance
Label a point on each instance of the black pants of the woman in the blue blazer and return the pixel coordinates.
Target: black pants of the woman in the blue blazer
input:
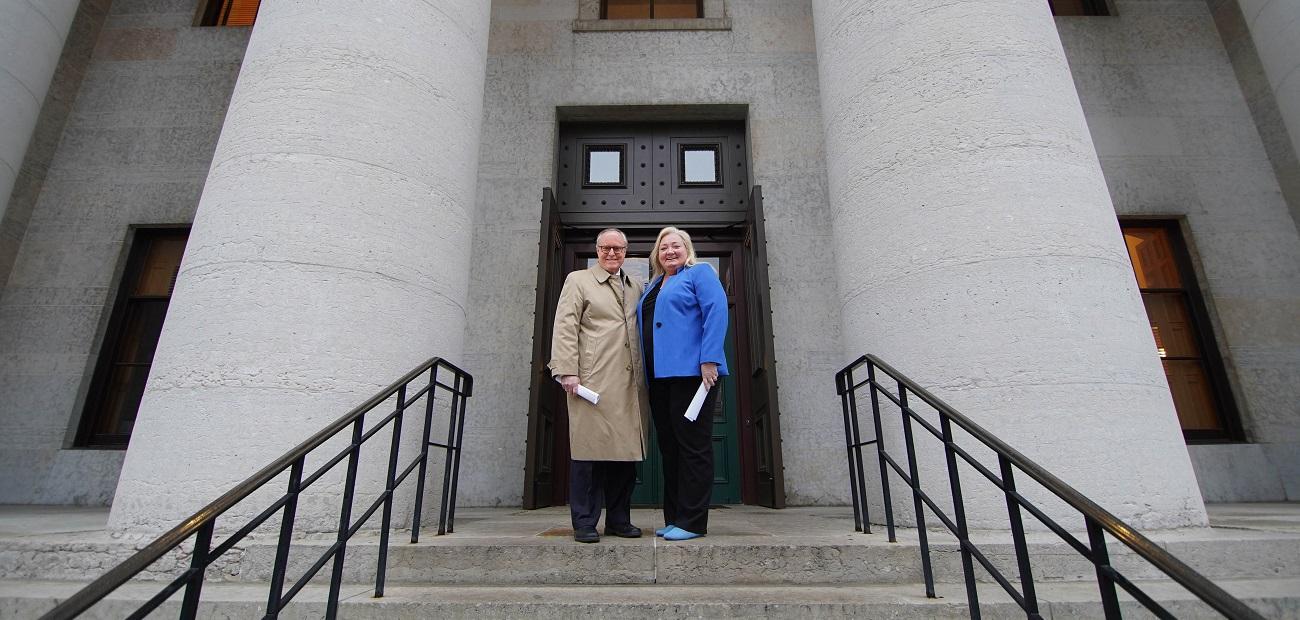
(688, 452)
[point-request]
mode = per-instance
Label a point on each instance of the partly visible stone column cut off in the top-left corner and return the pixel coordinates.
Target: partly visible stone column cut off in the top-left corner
(32, 40)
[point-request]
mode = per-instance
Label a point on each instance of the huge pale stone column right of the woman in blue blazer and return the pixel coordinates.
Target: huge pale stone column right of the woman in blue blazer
(977, 249)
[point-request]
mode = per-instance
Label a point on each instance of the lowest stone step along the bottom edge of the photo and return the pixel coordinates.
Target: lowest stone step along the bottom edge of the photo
(1279, 599)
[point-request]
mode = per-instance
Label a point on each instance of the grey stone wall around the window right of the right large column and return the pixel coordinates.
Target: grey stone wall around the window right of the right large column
(1177, 140)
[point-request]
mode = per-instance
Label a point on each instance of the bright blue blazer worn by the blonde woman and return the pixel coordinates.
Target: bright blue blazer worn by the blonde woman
(690, 323)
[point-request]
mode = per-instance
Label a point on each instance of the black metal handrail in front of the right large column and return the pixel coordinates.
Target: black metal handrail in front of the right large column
(1098, 521)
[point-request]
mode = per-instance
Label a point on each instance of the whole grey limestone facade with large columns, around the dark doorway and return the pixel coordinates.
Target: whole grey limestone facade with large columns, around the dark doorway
(1156, 115)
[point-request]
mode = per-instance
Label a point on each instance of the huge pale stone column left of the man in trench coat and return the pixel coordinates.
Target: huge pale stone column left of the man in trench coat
(331, 250)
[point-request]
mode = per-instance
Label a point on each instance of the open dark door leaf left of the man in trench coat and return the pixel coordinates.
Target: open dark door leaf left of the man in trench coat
(545, 409)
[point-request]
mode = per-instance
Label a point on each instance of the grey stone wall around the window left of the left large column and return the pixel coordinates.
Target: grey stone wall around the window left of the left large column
(136, 150)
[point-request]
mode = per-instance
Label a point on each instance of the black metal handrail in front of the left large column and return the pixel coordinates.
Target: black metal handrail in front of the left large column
(202, 524)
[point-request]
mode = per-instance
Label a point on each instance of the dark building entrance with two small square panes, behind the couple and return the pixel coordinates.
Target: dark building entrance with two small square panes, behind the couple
(642, 179)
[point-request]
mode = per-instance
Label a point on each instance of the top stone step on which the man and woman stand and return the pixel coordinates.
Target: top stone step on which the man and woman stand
(534, 548)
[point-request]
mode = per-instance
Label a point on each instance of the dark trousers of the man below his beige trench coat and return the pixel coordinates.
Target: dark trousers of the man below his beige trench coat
(601, 483)
